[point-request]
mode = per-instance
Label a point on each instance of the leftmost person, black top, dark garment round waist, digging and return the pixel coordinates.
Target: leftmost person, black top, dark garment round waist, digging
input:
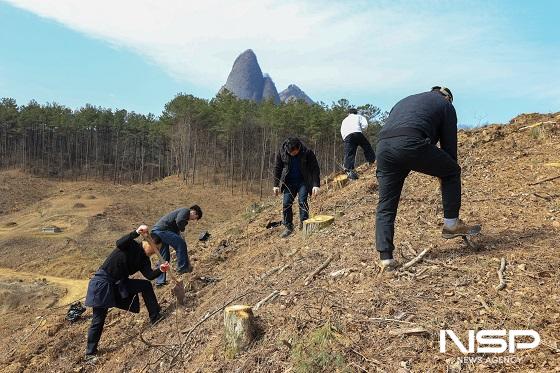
(111, 287)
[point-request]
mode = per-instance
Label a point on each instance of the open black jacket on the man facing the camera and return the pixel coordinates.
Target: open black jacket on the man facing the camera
(308, 165)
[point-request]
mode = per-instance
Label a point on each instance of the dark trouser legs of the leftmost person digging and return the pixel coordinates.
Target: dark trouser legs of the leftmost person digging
(100, 313)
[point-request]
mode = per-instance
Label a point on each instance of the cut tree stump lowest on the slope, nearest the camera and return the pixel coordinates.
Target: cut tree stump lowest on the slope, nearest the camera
(239, 328)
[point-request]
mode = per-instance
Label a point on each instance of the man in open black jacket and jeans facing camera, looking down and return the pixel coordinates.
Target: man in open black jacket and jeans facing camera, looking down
(296, 172)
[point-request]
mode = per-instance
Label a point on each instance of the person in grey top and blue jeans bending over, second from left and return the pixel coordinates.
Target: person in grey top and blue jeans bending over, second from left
(169, 229)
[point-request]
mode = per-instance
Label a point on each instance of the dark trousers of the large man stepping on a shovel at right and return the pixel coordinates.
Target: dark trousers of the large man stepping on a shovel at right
(396, 157)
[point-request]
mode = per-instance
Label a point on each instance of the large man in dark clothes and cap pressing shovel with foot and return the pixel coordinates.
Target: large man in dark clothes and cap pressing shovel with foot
(407, 142)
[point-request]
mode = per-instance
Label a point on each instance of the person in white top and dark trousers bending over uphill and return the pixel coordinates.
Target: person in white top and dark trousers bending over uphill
(351, 131)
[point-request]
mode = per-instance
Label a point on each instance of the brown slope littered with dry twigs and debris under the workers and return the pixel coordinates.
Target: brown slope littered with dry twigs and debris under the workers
(354, 321)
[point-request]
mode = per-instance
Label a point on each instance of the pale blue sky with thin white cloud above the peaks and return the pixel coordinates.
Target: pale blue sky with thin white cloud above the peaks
(500, 58)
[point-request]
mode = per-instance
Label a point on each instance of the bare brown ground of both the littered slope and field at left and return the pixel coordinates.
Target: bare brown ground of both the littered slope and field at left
(350, 317)
